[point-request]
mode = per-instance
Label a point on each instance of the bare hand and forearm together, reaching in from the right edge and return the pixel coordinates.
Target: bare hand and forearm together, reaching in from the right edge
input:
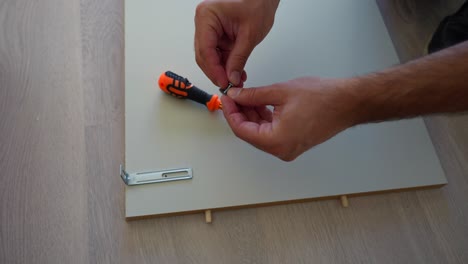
(308, 111)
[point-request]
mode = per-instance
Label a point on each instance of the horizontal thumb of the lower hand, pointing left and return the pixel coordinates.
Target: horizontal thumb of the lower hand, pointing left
(266, 95)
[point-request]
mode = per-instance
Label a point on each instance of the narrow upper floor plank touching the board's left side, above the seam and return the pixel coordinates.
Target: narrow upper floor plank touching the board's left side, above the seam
(103, 60)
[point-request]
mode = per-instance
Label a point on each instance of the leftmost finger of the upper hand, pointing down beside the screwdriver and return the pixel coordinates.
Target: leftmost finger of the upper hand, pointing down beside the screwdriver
(206, 54)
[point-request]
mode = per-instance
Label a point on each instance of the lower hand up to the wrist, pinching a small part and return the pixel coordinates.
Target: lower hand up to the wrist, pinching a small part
(307, 112)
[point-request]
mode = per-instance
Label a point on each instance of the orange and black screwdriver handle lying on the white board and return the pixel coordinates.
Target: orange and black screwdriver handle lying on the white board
(181, 88)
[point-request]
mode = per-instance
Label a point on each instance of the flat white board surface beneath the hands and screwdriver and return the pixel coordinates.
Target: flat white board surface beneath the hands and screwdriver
(327, 38)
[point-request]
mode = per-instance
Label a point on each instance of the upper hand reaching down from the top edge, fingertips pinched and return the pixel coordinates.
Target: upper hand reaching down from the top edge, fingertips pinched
(226, 32)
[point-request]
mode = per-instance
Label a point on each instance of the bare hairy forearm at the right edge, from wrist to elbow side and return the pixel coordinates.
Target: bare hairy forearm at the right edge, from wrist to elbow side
(437, 83)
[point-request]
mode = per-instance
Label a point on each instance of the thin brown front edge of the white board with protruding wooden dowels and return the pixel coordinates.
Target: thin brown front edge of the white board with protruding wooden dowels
(211, 210)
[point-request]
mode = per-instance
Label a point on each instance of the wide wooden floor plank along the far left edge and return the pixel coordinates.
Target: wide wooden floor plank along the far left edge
(43, 190)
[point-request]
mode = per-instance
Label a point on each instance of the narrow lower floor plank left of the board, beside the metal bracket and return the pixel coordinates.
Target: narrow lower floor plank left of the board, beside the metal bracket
(106, 224)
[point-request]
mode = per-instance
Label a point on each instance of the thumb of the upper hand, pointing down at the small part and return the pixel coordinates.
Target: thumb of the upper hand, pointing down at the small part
(238, 58)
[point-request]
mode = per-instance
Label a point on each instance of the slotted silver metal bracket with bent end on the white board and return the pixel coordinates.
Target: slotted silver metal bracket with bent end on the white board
(155, 176)
